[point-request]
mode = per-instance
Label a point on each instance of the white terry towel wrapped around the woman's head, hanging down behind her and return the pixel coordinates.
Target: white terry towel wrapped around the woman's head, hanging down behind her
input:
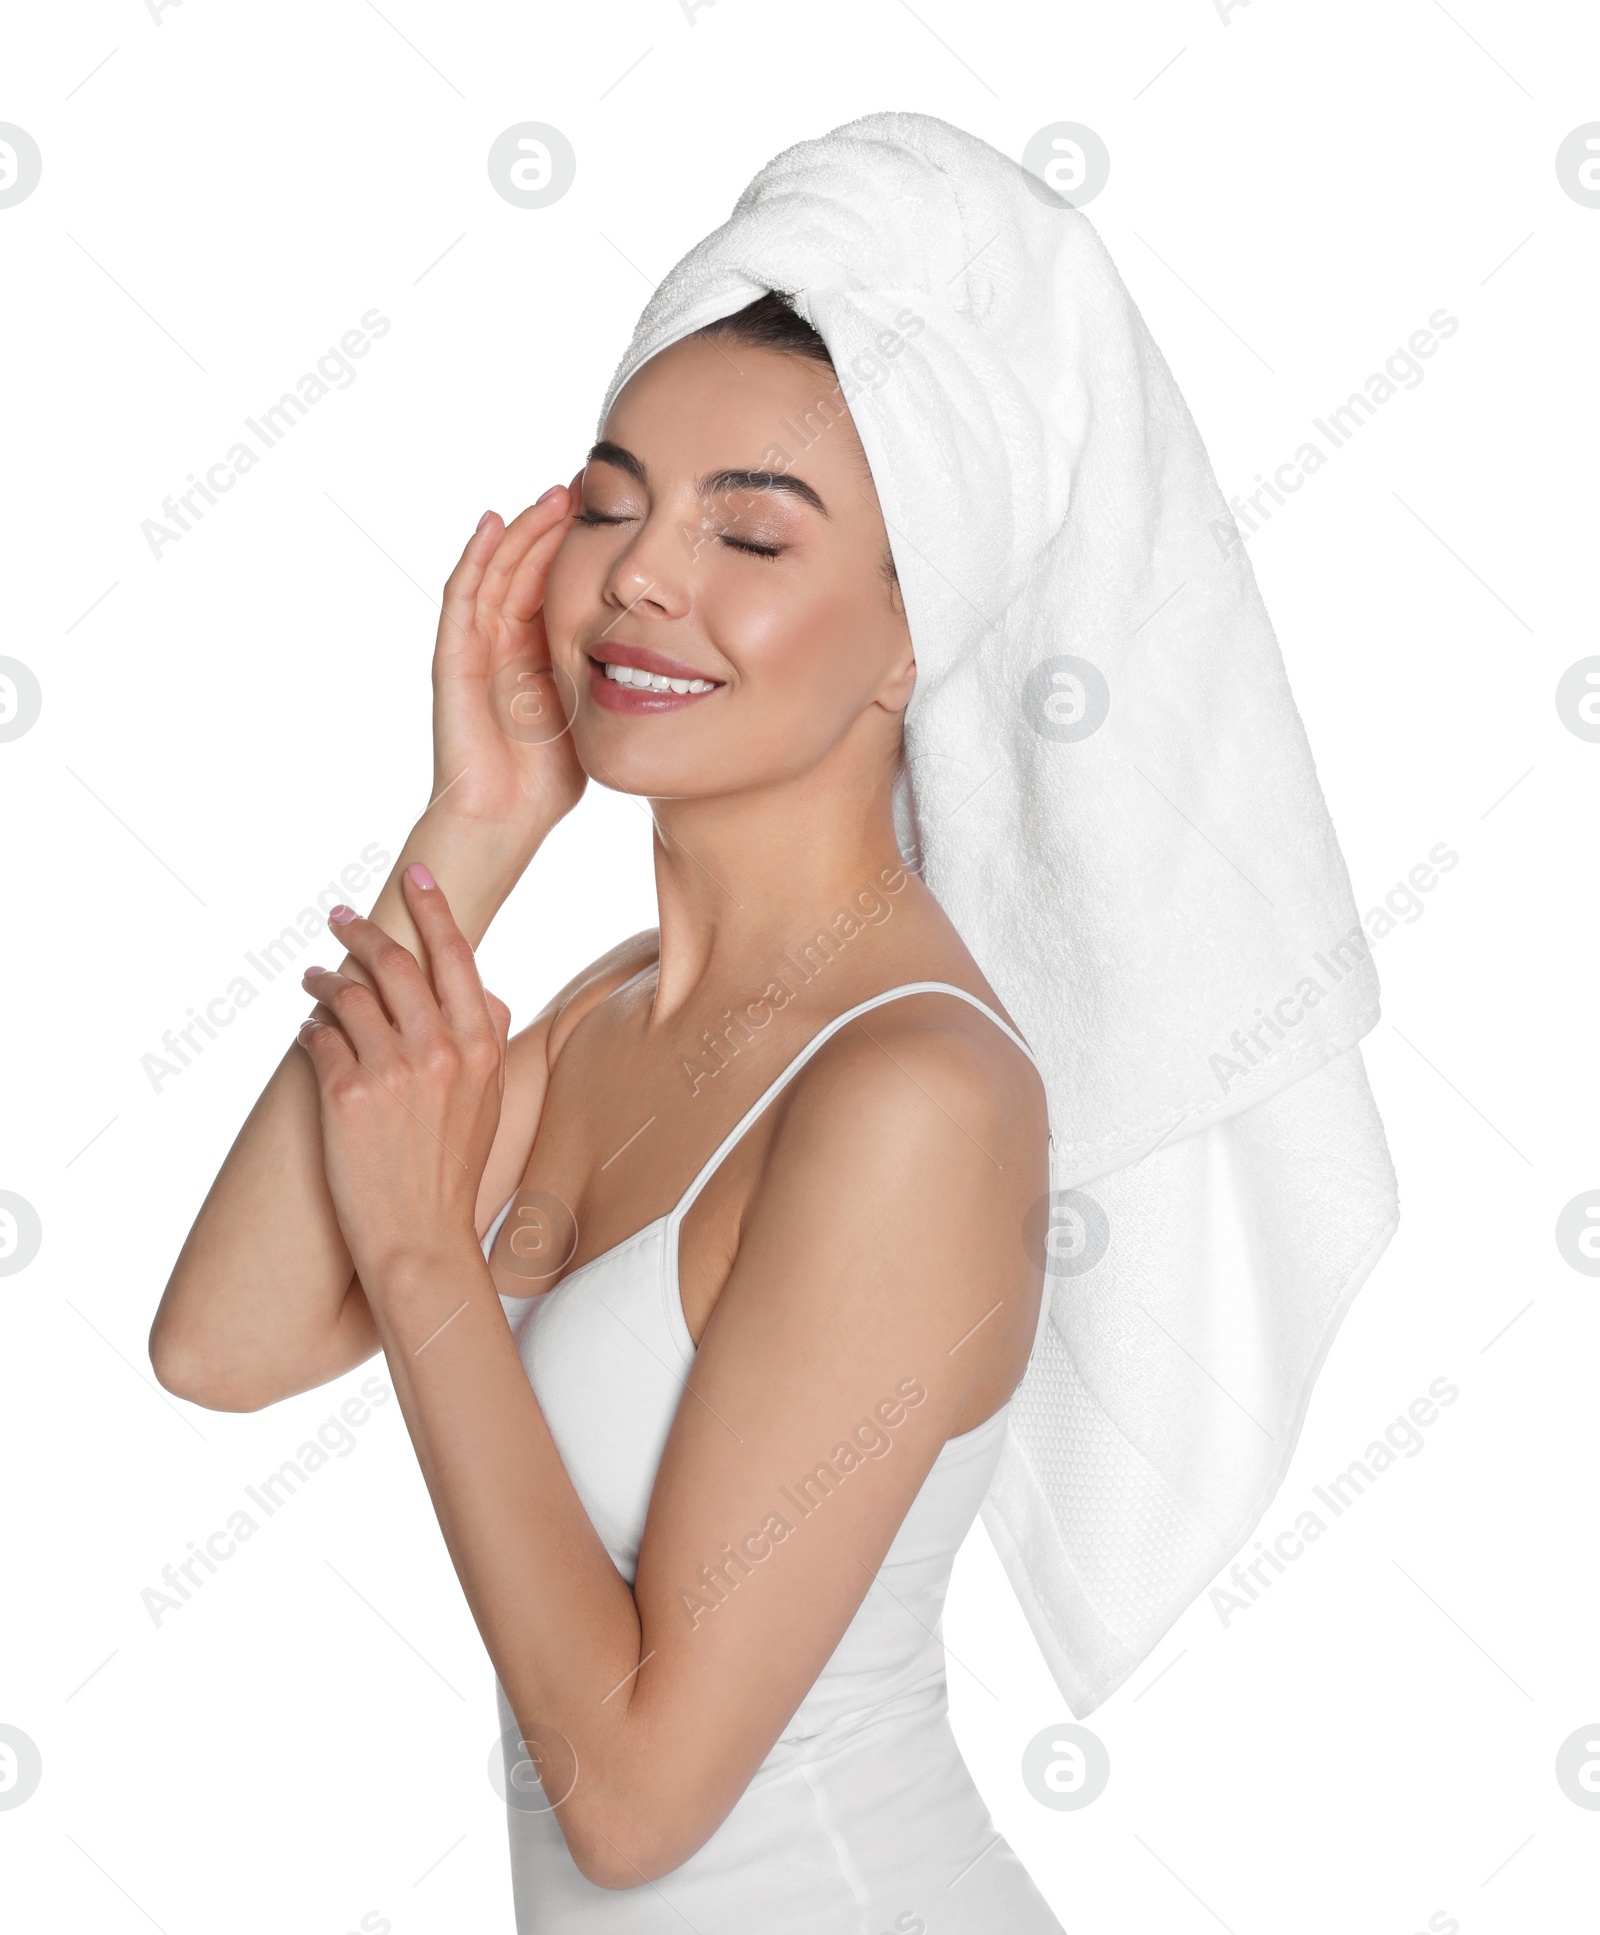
(1111, 794)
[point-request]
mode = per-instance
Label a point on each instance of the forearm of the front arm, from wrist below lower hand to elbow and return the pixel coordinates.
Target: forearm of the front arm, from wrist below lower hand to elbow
(558, 1621)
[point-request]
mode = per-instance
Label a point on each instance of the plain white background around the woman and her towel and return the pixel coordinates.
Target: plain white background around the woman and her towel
(1293, 193)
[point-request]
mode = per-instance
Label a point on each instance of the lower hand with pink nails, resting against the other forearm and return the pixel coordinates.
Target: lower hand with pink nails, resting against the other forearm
(409, 1085)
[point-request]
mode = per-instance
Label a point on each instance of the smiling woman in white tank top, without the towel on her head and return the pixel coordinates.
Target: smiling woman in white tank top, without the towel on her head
(707, 1292)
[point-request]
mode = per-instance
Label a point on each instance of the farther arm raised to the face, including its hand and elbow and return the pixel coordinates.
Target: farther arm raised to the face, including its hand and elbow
(264, 1301)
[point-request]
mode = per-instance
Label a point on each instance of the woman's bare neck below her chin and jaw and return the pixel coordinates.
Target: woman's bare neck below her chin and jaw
(740, 879)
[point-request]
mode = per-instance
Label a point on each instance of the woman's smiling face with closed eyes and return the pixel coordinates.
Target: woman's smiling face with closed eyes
(728, 537)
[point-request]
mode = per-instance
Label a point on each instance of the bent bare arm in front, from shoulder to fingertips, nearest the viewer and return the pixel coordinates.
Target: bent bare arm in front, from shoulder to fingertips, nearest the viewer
(879, 1268)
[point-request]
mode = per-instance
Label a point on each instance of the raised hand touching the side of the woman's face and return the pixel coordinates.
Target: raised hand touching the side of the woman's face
(502, 752)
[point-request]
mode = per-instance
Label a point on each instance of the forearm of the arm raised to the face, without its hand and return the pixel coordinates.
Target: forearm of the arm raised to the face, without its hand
(262, 1301)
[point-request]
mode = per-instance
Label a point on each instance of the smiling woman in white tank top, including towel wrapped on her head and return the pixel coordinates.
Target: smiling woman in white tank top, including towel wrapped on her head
(713, 1299)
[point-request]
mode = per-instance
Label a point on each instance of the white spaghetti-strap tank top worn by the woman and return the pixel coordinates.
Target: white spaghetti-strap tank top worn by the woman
(864, 1812)
